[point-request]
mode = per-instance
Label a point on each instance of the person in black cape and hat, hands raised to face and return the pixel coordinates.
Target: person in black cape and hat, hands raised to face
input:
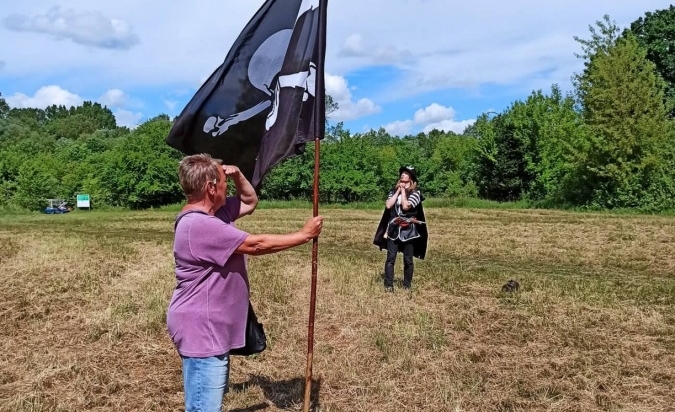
(402, 228)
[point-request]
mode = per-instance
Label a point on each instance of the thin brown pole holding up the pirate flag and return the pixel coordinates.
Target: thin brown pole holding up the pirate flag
(319, 131)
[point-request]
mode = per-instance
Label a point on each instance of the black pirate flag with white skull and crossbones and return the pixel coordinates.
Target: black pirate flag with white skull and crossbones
(266, 100)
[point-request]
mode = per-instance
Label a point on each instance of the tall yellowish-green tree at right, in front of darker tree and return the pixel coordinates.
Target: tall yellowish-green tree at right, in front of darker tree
(622, 99)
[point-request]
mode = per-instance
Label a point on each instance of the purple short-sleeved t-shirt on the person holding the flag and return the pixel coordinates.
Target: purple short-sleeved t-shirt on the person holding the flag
(208, 309)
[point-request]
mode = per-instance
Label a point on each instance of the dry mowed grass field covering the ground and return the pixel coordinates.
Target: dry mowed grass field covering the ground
(84, 295)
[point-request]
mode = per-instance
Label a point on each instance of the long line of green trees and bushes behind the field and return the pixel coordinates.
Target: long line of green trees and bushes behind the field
(609, 143)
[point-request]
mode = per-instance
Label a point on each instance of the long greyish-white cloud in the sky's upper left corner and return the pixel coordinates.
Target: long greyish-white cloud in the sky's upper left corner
(89, 28)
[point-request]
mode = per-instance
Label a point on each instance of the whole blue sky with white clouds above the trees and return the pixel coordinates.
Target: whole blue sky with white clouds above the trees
(406, 65)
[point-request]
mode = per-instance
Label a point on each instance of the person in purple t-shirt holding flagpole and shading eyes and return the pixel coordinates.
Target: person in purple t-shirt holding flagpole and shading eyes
(207, 315)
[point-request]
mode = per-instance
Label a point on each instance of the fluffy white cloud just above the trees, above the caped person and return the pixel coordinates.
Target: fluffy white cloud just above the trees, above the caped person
(434, 116)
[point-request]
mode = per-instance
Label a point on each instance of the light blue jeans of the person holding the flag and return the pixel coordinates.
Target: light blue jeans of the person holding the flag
(205, 382)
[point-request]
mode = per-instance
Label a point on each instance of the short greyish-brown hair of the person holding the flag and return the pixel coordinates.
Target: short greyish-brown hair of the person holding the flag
(194, 171)
